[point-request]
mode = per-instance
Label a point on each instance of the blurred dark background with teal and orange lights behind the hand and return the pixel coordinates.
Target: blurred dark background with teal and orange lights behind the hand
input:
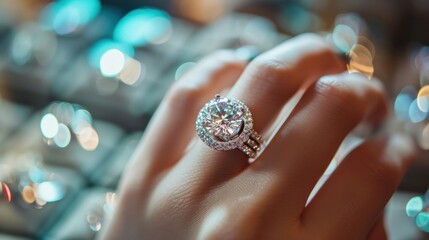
(80, 79)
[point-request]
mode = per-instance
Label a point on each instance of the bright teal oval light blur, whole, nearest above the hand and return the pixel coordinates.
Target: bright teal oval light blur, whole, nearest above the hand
(142, 26)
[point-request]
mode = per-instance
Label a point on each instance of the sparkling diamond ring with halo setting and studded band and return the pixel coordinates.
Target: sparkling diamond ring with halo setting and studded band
(225, 124)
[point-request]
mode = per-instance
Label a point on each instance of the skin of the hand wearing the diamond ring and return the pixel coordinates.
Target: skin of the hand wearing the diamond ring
(174, 190)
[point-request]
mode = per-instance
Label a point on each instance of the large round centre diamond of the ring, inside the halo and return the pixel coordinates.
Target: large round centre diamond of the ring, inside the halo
(223, 119)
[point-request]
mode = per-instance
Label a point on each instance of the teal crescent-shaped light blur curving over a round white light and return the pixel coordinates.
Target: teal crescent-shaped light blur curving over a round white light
(101, 47)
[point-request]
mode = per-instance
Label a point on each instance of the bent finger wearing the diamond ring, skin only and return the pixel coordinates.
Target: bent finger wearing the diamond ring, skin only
(265, 87)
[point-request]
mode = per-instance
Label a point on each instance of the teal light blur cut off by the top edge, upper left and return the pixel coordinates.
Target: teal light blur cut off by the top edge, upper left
(66, 16)
